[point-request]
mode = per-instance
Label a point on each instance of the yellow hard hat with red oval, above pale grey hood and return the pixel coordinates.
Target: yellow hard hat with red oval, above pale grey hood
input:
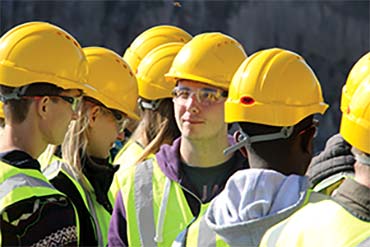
(274, 87)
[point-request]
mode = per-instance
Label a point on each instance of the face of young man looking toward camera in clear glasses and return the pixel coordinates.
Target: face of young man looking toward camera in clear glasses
(197, 116)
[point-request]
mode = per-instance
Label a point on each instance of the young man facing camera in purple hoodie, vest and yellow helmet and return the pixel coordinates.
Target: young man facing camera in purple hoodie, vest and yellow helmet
(163, 194)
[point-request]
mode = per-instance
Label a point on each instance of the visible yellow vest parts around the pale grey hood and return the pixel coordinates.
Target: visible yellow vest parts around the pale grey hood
(200, 235)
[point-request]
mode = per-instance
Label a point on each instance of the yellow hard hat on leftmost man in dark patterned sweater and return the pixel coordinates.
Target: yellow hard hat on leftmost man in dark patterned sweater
(41, 52)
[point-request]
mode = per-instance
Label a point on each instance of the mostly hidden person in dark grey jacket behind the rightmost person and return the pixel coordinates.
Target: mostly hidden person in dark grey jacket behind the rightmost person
(329, 168)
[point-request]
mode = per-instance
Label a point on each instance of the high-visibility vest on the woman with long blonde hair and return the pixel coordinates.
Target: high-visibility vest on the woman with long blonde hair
(101, 217)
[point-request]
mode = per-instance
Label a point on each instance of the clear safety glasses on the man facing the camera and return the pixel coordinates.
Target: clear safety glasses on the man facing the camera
(204, 96)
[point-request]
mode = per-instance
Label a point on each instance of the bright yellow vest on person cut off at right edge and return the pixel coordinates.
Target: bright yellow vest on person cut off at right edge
(325, 223)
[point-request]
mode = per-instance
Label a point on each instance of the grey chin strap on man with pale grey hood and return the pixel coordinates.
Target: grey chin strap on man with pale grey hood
(244, 140)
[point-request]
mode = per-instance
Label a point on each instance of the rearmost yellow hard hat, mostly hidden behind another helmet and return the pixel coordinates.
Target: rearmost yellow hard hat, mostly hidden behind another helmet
(150, 39)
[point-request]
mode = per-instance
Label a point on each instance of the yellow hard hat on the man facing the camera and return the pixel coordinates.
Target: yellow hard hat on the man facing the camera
(211, 58)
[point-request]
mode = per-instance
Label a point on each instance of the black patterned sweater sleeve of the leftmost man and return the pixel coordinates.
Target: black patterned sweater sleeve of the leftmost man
(47, 220)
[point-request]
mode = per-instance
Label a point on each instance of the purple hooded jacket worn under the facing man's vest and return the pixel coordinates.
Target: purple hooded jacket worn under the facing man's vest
(169, 161)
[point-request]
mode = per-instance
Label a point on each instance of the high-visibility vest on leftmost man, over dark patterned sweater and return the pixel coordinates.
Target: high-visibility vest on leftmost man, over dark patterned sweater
(17, 184)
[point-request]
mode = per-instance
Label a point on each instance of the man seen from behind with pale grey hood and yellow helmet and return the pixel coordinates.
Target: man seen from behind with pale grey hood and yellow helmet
(273, 97)
